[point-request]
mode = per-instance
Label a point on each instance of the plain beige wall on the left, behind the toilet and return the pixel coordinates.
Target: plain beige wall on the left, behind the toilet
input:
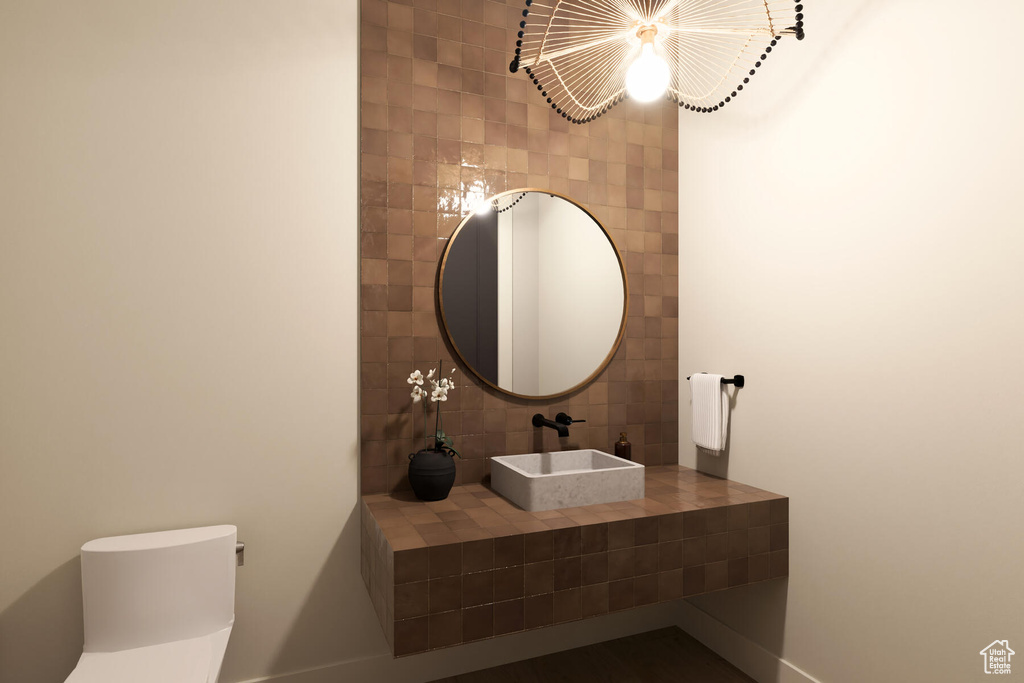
(179, 295)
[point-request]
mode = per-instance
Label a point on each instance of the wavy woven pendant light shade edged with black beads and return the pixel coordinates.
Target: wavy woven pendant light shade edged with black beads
(578, 53)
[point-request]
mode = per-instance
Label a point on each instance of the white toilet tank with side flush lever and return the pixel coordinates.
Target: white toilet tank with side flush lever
(149, 589)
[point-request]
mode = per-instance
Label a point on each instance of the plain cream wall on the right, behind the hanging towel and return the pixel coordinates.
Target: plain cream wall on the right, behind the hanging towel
(851, 240)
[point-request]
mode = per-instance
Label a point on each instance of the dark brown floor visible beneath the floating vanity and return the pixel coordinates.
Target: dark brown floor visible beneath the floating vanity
(666, 656)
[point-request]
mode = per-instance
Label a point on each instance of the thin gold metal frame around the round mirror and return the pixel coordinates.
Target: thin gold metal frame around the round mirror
(622, 324)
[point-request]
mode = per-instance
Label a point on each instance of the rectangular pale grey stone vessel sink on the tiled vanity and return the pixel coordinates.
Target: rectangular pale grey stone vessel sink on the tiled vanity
(566, 480)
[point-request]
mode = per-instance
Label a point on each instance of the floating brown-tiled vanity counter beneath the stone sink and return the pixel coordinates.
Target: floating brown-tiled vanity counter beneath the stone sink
(476, 567)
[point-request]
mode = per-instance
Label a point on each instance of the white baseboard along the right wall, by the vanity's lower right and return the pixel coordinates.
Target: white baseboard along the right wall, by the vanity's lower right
(739, 651)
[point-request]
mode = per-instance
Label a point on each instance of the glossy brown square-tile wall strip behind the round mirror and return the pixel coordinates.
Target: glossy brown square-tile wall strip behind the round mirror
(442, 118)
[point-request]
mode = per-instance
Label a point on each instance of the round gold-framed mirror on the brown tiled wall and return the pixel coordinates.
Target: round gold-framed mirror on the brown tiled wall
(533, 294)
